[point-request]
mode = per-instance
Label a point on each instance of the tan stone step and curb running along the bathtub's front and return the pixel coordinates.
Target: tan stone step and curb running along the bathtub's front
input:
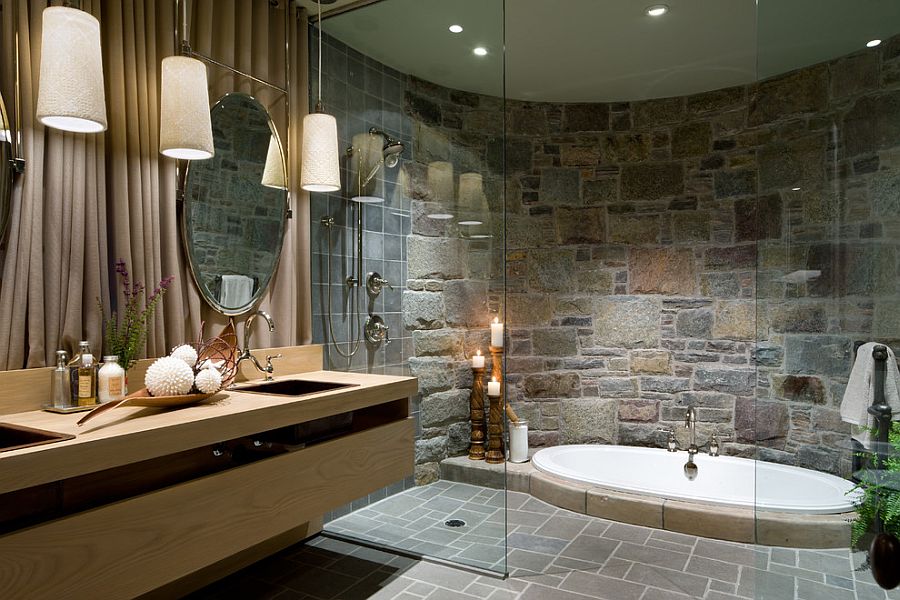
(695, 518)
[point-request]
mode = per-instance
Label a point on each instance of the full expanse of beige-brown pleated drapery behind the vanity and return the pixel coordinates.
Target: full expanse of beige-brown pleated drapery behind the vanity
(86, 200)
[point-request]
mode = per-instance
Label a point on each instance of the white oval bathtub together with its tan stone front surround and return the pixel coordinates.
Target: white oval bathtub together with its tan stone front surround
(731, 498)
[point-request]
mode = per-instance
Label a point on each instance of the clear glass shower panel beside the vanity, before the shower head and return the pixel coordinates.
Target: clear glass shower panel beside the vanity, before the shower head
(431, 226)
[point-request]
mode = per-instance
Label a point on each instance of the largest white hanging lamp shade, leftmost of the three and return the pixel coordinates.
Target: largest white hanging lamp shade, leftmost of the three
(70, 90)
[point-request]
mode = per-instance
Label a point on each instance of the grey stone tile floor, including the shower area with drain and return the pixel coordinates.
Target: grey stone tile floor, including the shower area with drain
(553, 554)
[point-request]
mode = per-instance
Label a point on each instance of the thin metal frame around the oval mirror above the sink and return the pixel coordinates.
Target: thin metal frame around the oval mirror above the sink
(183, 221)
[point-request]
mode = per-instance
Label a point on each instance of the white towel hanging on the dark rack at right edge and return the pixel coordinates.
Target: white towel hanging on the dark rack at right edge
(860, 392)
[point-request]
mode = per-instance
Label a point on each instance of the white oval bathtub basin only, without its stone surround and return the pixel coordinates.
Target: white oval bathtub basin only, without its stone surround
(723, 480)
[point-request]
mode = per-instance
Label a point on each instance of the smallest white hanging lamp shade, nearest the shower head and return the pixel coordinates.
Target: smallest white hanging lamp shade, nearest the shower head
(320, 169)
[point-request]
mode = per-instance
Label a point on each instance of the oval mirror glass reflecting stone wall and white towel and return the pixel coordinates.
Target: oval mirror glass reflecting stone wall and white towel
(235, 207)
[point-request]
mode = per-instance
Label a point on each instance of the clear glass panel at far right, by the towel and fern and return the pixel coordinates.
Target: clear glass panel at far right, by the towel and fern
(827, 219)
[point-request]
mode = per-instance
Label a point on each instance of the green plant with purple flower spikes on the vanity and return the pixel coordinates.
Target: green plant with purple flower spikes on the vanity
(126, 330)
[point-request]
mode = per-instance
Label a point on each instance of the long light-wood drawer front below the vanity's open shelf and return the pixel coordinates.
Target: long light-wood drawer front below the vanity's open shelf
(131, 547)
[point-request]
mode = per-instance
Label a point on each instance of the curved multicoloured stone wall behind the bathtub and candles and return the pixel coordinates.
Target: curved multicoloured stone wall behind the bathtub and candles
(659, 255)
